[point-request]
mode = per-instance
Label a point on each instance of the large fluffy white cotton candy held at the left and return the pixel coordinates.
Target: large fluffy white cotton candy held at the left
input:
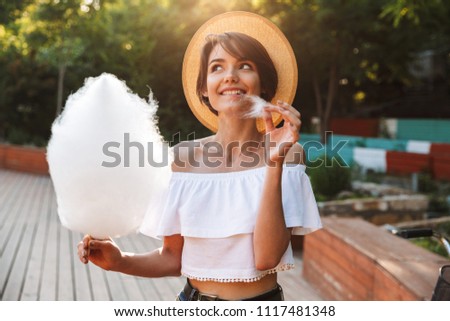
(107, 159)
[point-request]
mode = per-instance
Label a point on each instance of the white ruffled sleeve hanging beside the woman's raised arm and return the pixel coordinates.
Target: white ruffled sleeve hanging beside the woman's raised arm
(299, 204)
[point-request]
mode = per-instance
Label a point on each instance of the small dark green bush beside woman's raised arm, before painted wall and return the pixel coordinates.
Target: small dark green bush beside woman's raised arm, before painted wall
(330, 178)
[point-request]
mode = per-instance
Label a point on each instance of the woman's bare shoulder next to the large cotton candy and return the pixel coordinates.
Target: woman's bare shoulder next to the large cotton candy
(187, 153)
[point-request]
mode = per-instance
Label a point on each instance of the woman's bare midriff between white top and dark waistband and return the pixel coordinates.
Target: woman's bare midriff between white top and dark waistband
(236, 290)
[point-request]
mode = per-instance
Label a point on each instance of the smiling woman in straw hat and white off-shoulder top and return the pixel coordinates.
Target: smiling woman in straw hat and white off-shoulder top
(235, 197)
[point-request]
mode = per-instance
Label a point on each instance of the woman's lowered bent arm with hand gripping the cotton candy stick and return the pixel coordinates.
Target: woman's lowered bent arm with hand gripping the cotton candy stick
(165, 261)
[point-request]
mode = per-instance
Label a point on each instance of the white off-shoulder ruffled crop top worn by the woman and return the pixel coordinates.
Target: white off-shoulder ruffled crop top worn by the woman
(216, 214)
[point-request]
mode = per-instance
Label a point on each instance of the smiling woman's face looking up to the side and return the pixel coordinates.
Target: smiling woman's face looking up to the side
(228, 78)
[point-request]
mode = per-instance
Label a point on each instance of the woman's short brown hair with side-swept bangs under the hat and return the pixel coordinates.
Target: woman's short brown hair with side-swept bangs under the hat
(240, 46)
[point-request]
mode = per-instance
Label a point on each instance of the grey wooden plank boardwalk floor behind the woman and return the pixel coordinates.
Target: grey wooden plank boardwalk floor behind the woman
(38, 259)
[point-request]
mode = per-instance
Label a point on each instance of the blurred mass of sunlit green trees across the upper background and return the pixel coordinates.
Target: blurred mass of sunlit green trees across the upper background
(368, 43)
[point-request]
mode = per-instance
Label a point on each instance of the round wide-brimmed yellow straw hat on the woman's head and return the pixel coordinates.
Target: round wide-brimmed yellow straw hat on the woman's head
(258, 27)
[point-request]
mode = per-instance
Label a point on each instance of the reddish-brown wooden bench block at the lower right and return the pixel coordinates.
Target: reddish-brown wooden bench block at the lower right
(351, 259)
